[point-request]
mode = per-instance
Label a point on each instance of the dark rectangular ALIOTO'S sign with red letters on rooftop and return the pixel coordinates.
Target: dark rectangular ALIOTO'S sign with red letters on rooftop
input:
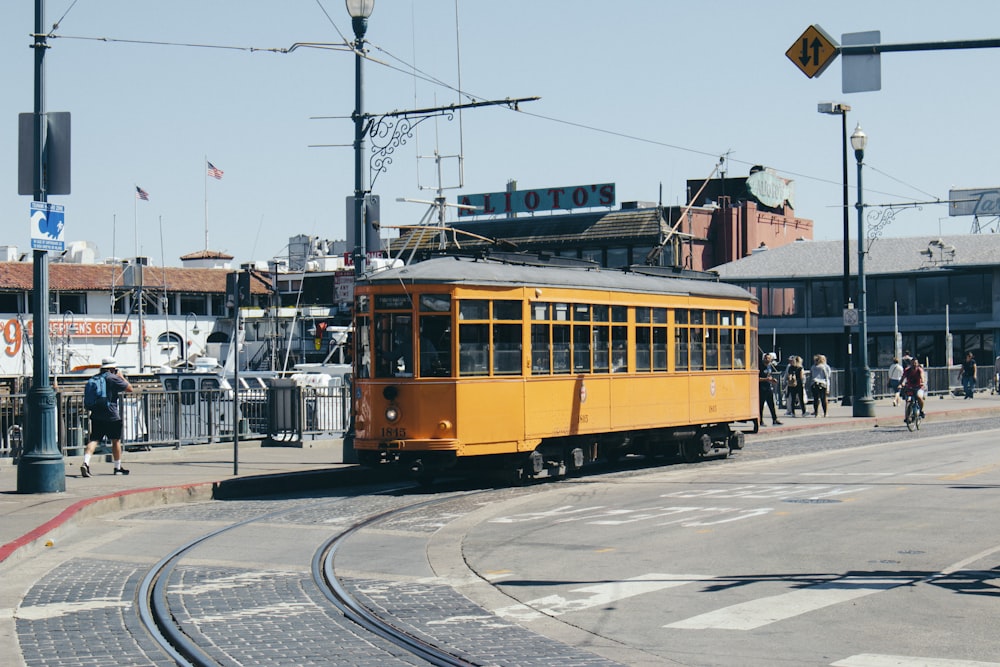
(542, 199)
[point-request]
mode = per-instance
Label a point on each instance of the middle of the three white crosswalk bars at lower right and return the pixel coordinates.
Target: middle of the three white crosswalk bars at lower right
(757, 613)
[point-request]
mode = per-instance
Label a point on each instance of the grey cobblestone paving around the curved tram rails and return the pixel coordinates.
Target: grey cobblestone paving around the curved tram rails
(249, 598)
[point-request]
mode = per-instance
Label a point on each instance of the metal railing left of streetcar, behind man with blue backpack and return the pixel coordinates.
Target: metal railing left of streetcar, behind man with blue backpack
(160, 417)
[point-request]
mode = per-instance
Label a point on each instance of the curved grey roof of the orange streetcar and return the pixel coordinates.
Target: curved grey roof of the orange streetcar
(457, 270)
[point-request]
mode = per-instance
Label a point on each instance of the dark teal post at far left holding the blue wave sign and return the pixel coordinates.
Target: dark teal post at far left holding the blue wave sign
(41, 468)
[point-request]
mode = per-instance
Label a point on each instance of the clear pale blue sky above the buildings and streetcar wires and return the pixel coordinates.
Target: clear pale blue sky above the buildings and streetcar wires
(636, 92)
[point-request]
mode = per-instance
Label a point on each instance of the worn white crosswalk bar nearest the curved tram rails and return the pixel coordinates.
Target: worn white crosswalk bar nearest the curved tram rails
(596, 595)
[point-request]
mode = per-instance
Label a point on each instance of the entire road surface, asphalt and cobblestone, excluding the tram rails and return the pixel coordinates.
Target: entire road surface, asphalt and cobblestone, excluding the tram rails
(861, 548)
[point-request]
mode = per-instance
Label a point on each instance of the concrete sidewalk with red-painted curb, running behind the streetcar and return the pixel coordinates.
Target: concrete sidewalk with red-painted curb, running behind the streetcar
(206, 472)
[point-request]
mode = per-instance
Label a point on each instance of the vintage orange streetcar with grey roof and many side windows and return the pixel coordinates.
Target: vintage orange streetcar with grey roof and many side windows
(535, 369)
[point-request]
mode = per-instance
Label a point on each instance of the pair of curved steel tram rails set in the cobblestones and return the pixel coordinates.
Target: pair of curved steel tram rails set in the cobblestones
(187, 646)
